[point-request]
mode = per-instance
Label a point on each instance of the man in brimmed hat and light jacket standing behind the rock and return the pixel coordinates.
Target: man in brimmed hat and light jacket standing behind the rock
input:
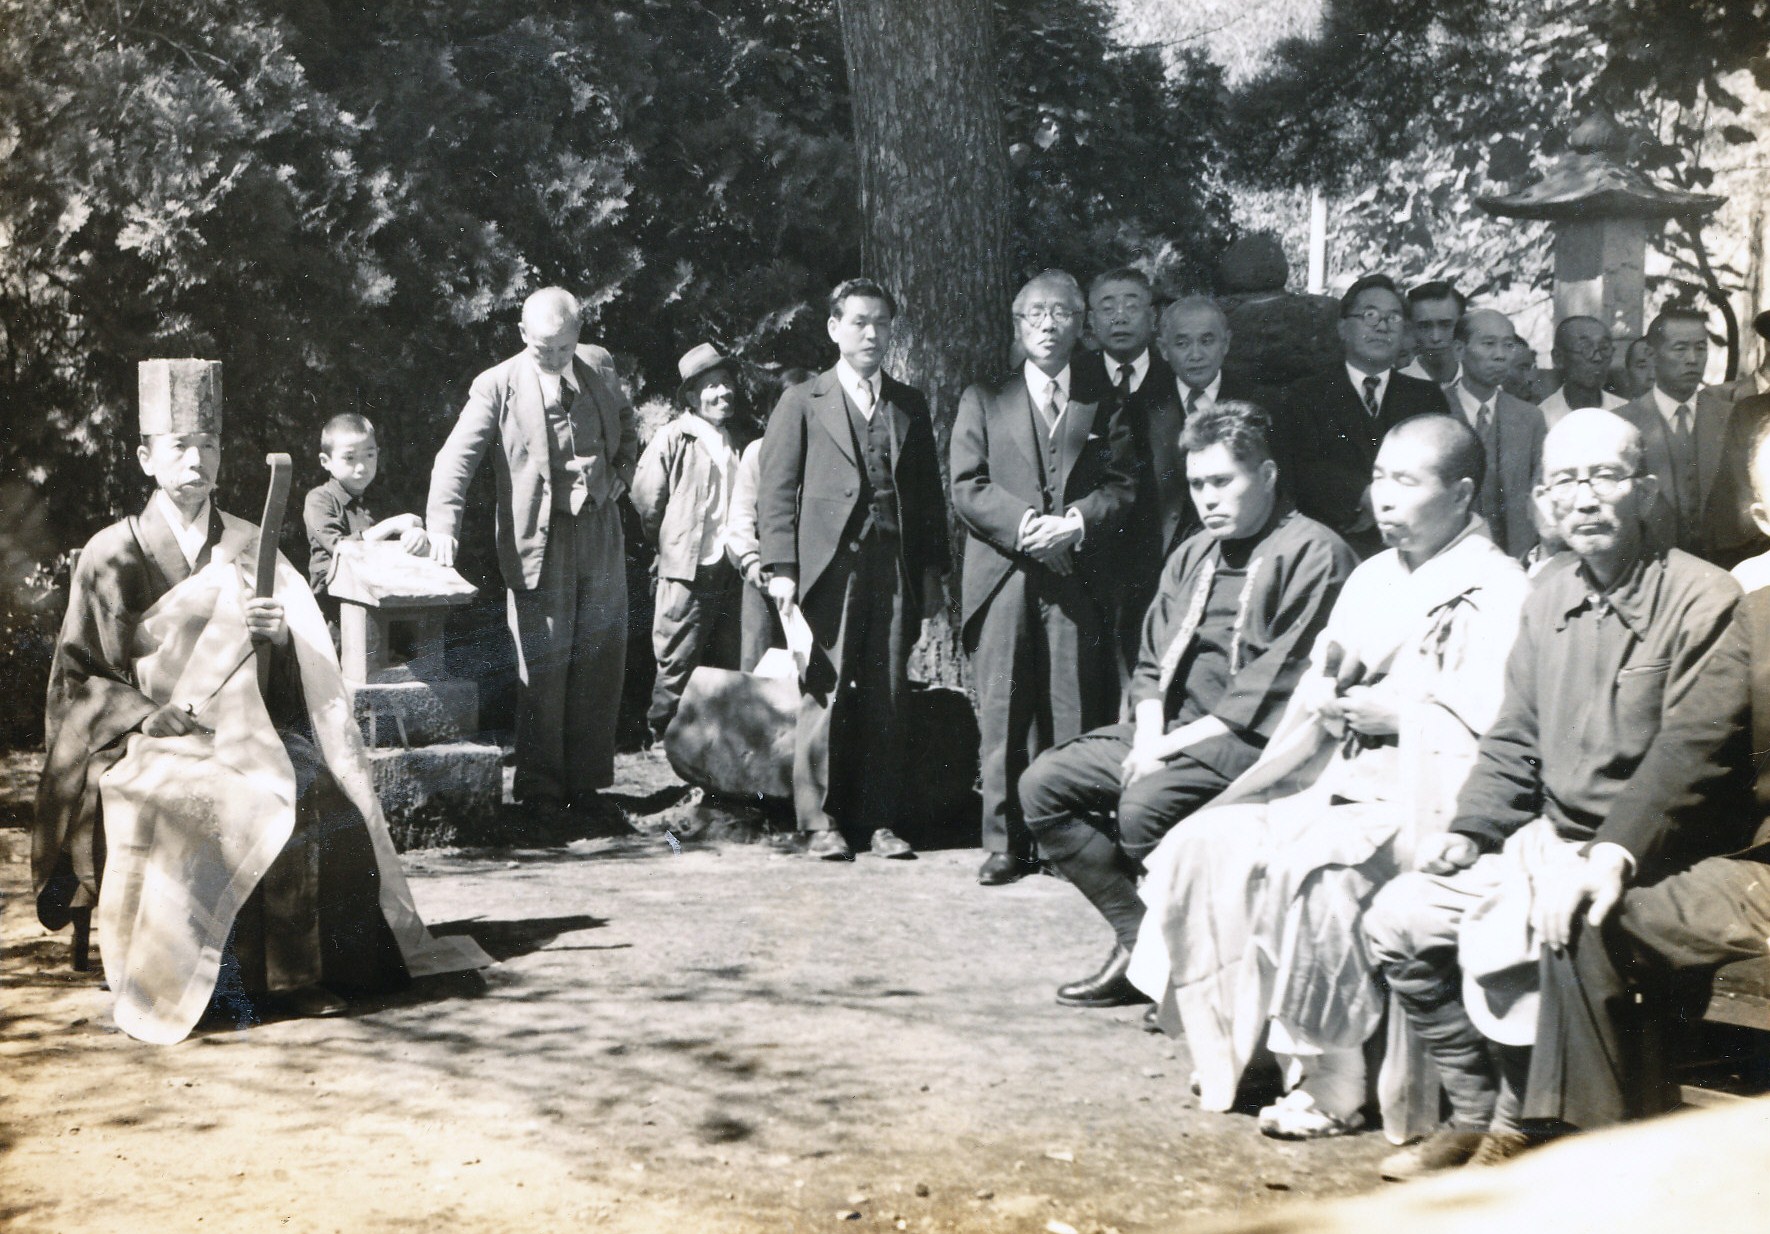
(682, 493)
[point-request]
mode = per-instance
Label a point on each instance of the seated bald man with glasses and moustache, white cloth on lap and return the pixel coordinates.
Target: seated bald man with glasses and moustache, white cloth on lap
(1564, 801)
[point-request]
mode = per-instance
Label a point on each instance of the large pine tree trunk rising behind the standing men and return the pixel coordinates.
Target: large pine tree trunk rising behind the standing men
(934, 204)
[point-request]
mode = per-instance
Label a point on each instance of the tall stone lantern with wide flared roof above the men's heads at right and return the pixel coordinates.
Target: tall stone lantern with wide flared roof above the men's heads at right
(1601, 212)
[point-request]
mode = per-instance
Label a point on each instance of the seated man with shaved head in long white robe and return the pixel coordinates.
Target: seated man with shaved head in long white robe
(1256, 902)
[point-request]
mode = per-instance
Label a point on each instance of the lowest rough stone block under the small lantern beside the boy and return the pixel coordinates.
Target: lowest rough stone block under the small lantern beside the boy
(440, 794)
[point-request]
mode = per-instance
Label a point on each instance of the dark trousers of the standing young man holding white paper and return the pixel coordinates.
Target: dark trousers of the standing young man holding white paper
(849, 760)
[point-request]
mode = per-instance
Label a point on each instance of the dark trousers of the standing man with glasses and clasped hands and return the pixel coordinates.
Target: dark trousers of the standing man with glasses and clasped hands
(1045, 675)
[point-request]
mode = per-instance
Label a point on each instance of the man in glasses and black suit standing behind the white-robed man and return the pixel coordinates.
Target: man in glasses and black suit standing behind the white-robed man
(1330, 424)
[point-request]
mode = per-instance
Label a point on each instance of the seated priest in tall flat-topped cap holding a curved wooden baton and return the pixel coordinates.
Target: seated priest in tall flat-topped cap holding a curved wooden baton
(196, 812)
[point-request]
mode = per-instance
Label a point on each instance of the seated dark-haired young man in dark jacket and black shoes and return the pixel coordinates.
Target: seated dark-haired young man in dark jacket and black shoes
(1226, 642)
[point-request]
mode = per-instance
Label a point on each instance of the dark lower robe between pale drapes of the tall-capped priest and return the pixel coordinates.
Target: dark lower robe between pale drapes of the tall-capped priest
(316, 916)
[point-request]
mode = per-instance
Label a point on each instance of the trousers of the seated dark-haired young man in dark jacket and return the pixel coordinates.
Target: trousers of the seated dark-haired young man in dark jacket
(1100, 833)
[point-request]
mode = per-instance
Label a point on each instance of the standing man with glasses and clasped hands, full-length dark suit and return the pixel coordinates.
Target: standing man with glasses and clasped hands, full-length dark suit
(1043, 479)
